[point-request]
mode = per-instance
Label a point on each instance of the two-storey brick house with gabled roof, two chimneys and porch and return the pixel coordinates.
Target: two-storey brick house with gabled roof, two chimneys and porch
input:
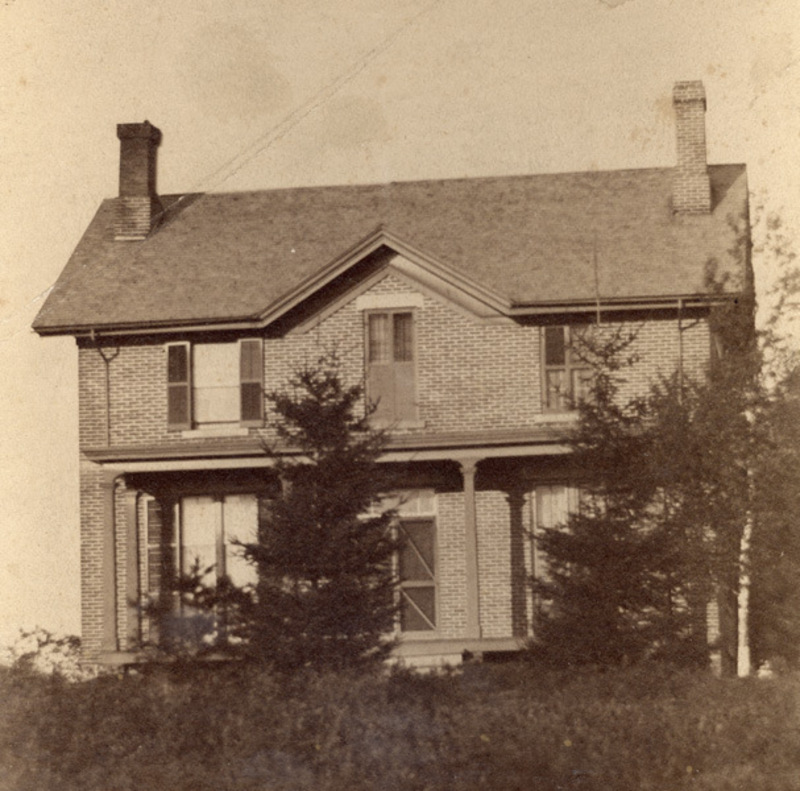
(454, 300)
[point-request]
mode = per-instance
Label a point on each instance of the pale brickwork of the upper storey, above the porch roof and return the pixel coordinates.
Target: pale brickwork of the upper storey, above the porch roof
(470, 374)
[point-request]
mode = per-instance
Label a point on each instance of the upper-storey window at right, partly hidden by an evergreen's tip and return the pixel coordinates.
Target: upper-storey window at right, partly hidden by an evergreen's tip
(567, 378)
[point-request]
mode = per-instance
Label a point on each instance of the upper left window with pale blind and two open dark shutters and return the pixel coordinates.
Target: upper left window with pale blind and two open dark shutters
(212, 384)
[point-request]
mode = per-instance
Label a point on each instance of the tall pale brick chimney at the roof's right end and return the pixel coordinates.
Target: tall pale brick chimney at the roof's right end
(691, 192)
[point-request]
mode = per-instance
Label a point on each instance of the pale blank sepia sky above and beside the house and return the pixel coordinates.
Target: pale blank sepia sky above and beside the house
(255, 95)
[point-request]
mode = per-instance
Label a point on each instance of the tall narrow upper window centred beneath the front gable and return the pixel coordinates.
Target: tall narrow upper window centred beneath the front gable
(390, 365)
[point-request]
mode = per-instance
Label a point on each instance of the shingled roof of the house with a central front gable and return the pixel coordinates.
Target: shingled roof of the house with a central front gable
(528, 242)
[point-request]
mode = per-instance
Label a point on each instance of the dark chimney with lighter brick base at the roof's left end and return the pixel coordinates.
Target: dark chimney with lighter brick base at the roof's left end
(138, 207)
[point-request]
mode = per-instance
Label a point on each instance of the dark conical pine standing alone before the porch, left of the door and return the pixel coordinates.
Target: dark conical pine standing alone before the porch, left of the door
(326, 591)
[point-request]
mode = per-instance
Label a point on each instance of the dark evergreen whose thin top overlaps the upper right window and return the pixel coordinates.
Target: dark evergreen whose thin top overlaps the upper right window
(611, 592)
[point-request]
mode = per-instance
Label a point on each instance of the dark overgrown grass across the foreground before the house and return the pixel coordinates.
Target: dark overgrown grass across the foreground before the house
(498, 727)
